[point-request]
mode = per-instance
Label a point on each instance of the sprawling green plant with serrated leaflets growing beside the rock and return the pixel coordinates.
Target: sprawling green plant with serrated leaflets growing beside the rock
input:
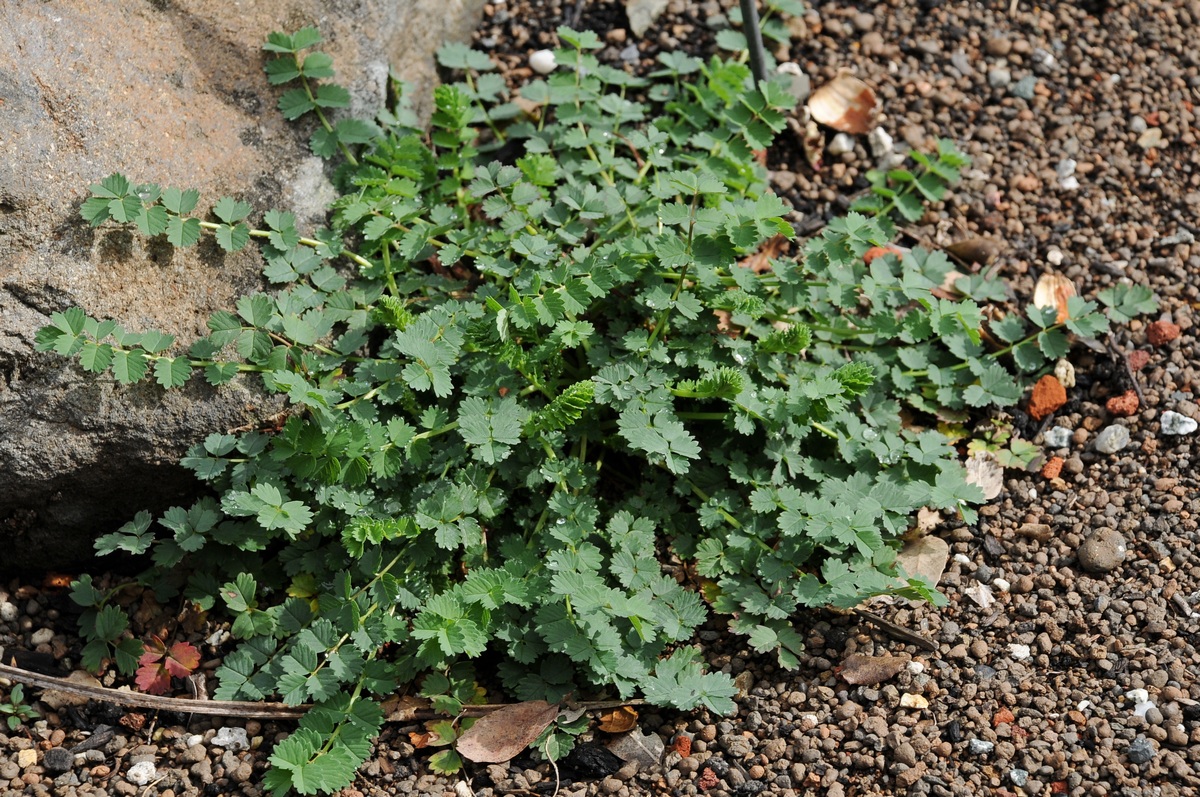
(542, 373)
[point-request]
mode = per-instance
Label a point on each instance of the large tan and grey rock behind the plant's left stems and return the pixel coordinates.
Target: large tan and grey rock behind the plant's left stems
(167, 92)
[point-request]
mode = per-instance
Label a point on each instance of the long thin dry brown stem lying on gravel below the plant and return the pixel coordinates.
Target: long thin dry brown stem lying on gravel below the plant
(231, 708)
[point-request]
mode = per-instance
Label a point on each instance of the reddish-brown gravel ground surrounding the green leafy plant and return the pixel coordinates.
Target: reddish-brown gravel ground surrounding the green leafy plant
(1076, 672)
